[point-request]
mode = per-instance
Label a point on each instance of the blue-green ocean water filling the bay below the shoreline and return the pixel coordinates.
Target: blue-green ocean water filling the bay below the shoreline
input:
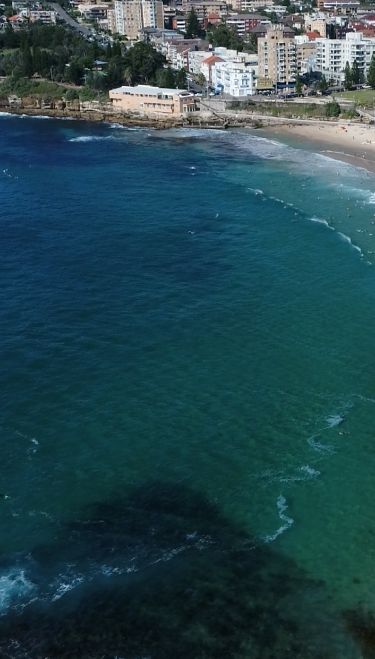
(187, 395)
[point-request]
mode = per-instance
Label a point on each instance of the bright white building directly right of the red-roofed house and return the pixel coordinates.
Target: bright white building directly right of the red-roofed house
(234, 78)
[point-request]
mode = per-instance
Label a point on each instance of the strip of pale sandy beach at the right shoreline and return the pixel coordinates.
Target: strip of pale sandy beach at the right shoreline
(348, 142)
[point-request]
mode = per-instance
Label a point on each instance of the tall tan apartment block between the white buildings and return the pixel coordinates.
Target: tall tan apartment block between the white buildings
(277, 57)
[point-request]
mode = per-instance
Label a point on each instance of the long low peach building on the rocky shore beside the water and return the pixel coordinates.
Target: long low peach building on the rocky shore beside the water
(151, 101)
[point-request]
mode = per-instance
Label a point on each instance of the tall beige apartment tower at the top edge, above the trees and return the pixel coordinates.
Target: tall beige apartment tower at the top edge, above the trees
(132, 16)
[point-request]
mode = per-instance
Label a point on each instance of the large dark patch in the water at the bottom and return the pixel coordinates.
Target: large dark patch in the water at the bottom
(162, 573)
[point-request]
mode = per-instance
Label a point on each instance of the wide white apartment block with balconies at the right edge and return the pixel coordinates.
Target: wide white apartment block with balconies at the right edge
(333, 54)
